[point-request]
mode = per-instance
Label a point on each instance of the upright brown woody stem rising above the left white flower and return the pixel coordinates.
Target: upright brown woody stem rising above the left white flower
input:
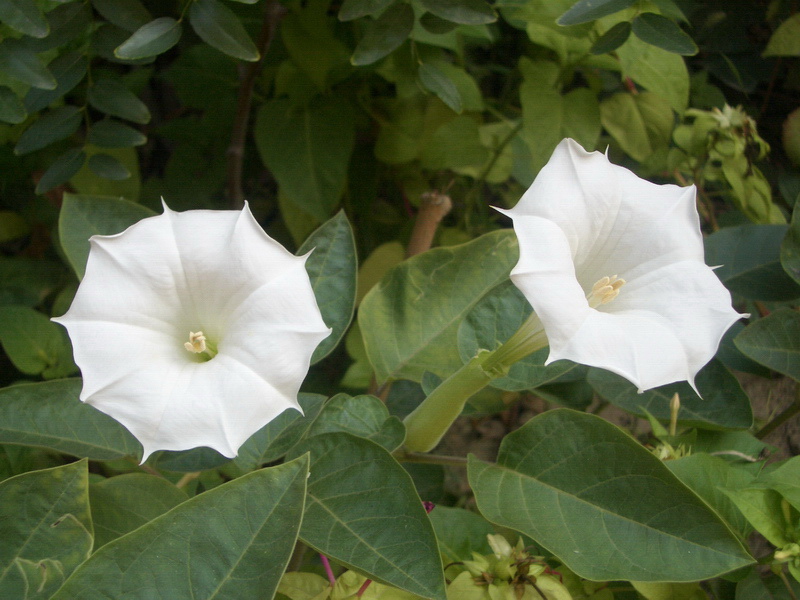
(274, 11)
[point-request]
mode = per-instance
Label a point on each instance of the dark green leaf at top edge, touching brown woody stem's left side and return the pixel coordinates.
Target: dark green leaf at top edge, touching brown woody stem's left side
(216, 25)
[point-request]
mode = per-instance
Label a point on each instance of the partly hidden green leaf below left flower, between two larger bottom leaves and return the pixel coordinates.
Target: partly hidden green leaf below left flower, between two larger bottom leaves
(126, 502)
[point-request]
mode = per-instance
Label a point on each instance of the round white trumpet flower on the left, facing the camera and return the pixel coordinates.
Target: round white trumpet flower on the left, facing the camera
(193, 329)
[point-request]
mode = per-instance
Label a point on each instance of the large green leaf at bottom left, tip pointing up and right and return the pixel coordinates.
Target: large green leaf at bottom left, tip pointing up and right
(233, 542)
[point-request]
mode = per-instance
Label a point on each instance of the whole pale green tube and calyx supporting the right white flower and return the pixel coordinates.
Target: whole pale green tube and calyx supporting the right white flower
(431, 419)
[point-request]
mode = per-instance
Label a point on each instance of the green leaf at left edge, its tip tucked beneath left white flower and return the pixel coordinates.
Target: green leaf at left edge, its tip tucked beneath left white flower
(50, 415)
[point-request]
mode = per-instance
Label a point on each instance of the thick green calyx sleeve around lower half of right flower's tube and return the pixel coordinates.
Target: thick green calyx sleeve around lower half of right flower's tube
(431, 419)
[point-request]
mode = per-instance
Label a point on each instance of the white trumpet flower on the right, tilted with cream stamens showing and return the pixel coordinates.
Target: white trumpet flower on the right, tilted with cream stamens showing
(613, 266)
